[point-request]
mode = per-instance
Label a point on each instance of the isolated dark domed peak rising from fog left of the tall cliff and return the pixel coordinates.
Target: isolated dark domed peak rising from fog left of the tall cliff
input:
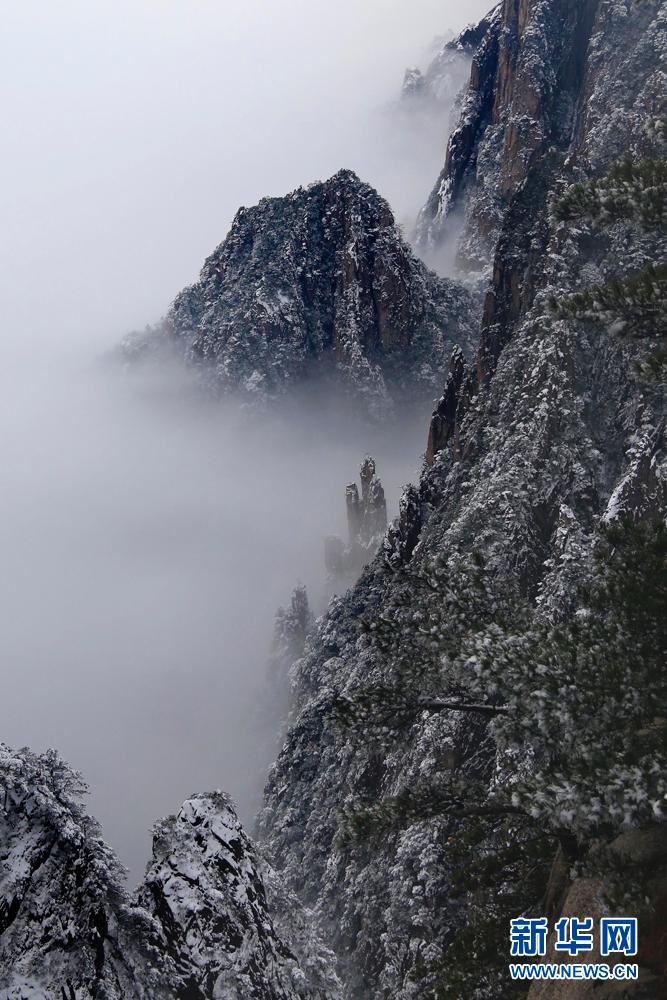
(318, 286)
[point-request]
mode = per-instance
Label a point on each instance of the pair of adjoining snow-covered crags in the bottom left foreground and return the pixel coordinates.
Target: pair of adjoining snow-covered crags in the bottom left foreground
(211, 919)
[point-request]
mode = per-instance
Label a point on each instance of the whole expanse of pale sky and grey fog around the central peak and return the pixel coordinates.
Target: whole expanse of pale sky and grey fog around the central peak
(146, 541)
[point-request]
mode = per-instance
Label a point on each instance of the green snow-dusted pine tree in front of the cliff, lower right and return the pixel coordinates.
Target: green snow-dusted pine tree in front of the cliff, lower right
(578, 700)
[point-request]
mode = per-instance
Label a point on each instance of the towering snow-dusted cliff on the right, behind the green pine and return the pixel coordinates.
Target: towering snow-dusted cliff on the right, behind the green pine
(529, 447)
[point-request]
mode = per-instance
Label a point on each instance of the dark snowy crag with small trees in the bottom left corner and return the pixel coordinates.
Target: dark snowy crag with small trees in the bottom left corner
(67, 928)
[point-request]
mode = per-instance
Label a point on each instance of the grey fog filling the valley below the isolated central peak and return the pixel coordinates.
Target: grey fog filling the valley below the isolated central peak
(148, 537)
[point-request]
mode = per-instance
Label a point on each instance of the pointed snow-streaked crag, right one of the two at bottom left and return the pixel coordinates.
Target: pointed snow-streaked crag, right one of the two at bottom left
(205, 886)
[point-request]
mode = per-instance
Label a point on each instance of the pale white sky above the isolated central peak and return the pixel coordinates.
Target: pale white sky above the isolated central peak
(134, 129)
